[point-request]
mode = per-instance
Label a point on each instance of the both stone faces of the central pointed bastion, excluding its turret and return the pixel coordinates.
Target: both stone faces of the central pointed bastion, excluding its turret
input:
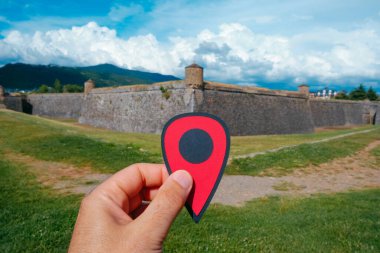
(246, 112)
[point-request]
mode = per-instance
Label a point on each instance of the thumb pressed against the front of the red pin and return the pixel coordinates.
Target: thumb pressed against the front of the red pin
(162, 211)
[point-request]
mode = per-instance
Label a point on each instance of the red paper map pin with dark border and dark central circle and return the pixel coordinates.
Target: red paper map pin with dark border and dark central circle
(198, 143)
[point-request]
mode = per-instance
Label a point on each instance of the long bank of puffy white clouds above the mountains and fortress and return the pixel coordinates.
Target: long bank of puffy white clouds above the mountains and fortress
(234, 53)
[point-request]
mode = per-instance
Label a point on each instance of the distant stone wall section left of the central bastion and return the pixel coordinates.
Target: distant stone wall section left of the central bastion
(65, 105)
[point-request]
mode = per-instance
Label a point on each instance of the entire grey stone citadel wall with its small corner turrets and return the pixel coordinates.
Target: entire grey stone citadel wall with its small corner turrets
(246, 110)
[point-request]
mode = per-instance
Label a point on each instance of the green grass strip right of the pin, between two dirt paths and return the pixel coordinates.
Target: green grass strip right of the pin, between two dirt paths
(286, 160)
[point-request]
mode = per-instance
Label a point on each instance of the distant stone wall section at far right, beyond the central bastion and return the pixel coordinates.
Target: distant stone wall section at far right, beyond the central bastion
(339, 113)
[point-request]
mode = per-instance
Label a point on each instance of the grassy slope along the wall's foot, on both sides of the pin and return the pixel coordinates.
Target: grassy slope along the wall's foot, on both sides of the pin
(109, 151)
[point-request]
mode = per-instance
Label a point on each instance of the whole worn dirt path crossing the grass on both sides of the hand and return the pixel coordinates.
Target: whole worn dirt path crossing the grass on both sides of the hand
(353, 172)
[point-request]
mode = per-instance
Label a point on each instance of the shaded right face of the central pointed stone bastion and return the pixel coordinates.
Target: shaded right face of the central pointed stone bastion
(249, 113)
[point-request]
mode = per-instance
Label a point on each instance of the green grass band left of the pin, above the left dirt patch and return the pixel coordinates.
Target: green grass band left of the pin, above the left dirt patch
(47, 141)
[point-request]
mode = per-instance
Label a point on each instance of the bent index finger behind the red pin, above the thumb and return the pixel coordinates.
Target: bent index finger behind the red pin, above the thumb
(123, 186)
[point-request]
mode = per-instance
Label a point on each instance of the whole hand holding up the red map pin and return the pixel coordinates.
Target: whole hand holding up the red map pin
(113, 217)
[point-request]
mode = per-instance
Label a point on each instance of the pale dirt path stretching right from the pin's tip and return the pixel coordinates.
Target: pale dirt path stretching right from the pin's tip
(354, 172)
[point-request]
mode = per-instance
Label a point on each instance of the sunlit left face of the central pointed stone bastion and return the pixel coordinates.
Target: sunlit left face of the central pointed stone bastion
(135, 109)
